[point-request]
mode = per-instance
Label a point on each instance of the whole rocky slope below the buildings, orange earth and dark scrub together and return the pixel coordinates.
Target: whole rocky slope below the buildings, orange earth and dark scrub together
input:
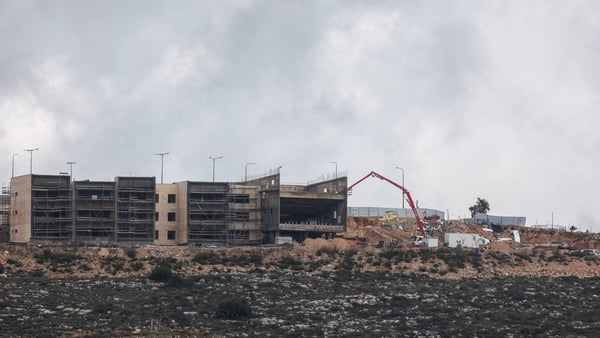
(347, 286)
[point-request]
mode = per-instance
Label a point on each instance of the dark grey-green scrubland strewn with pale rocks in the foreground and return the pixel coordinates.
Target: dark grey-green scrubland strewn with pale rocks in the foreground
(335, 304)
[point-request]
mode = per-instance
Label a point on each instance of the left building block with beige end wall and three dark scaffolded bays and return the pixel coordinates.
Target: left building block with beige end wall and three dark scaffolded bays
(51, 208)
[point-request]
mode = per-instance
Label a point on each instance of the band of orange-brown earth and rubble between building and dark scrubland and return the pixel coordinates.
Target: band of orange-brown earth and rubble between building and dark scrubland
(366, 247)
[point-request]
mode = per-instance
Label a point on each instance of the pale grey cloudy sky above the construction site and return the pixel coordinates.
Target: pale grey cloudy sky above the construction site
(491, 99)
